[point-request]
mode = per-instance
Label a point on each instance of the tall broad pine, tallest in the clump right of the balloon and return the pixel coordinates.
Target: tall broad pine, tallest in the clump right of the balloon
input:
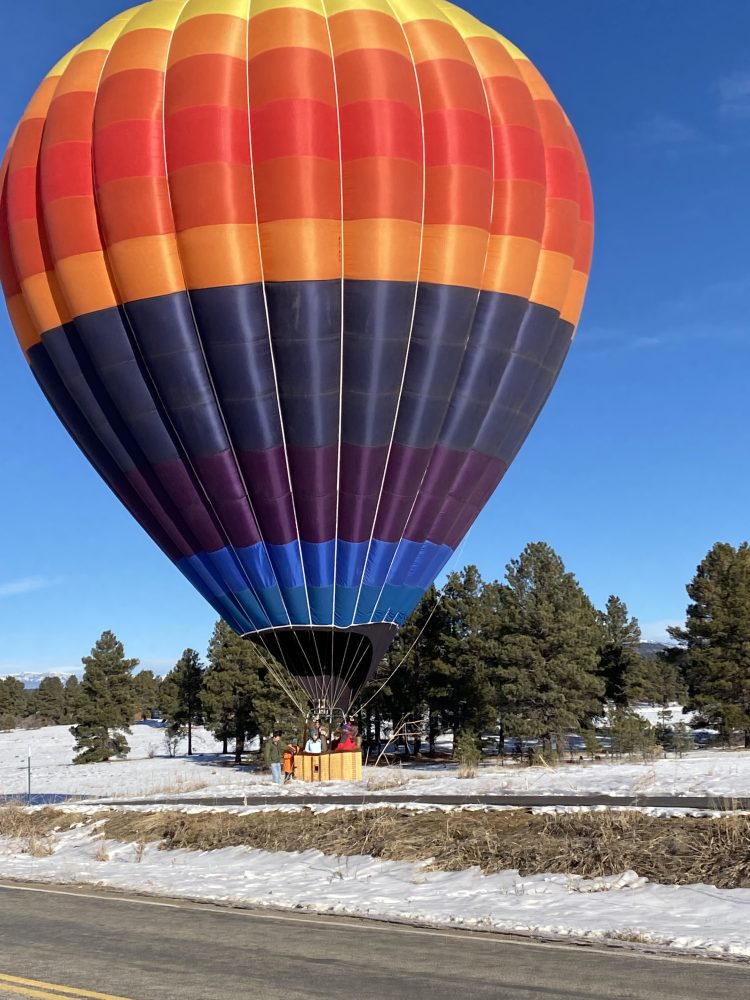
(548, 641)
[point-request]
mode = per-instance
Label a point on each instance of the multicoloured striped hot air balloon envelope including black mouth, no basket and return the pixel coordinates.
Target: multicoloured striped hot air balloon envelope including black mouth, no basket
(298, 276)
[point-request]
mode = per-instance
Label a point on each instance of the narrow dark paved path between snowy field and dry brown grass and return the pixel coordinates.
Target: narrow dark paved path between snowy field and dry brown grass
(524, 801)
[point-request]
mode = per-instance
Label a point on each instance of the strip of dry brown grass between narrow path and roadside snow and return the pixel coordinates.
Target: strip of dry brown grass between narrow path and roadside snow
(671, 850)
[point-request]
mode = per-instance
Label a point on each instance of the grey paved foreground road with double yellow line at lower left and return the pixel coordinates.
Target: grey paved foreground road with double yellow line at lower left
(152, 950)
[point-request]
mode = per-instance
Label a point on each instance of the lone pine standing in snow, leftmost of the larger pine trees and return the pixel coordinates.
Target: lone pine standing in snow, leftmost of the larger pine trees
(107, 702)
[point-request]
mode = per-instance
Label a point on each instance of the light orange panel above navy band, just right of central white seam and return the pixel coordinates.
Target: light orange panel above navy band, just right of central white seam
(382, 250)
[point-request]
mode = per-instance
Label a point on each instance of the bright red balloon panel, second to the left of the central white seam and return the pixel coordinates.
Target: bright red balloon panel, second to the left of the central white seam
(207, 135)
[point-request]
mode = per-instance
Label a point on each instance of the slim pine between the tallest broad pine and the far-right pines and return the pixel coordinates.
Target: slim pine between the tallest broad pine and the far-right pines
(628, 676)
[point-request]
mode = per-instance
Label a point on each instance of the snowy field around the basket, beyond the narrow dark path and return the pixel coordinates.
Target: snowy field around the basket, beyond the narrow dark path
(148, 771)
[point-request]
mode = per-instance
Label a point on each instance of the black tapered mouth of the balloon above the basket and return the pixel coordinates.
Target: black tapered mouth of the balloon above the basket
(330, 664)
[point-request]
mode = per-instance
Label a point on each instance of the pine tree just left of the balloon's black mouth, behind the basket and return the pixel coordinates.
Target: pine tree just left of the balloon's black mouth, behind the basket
(240, 698)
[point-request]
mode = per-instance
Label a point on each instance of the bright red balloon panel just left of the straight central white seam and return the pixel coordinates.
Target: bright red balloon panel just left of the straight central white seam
(294, 128)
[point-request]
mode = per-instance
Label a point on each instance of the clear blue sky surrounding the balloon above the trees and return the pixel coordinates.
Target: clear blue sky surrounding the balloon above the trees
(638, 463)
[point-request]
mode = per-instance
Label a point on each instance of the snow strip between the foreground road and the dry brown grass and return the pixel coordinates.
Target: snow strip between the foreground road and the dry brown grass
(625, 907)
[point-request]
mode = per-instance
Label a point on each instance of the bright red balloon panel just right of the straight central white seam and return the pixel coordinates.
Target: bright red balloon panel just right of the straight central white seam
(380, 128)
